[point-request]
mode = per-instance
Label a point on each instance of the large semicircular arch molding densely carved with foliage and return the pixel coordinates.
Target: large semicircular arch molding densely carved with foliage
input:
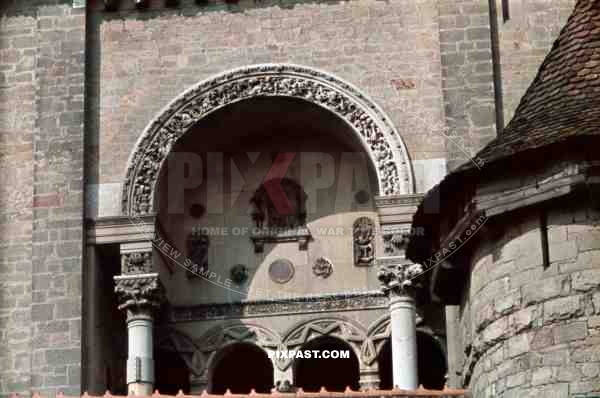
(379, 138)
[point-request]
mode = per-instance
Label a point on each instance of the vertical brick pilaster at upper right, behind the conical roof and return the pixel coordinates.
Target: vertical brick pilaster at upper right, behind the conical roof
(467, 77)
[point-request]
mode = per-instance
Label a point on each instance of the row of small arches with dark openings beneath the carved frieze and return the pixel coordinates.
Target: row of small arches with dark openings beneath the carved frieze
(235, 357)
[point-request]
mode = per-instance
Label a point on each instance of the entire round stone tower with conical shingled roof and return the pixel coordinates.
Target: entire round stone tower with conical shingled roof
(512, 238)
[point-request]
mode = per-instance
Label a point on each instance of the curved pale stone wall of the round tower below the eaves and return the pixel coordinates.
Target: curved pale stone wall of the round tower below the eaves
(531, 331)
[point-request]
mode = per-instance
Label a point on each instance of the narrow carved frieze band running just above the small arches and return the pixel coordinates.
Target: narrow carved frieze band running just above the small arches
(285, 306)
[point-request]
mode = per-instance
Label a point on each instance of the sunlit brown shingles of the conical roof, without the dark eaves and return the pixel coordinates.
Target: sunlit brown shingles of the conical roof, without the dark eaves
(564, 98)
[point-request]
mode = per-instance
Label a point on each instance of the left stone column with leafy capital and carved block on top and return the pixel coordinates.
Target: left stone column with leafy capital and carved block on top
(140, 294)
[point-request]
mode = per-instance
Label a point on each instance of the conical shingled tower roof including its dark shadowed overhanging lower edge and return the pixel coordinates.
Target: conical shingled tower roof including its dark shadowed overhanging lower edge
(561, 105)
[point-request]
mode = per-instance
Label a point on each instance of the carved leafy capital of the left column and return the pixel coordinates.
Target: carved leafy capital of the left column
(139, 294)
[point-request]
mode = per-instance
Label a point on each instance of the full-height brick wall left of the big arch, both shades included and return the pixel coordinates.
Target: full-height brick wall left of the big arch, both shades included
(41, 125)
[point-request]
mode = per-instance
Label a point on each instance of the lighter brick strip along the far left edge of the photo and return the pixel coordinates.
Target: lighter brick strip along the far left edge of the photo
(17, 126)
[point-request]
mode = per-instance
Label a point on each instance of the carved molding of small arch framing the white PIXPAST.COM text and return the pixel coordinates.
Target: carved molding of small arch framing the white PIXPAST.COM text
(341, 328)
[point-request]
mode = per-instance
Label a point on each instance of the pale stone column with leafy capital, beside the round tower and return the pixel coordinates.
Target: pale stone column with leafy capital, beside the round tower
(398, 282)
